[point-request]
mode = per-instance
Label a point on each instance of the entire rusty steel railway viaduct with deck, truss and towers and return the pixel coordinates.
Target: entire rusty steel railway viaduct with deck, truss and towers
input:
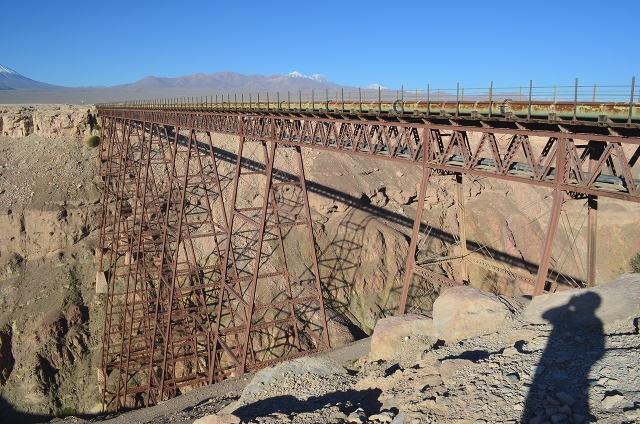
(185, 275)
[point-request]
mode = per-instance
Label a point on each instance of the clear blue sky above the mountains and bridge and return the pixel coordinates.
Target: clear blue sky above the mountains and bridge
(89, 43)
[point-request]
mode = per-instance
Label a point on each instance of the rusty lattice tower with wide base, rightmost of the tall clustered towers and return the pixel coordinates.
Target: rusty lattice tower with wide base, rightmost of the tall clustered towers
(296, 313)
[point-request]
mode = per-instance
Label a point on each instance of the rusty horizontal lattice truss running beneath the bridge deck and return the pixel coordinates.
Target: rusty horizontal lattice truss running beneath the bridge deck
(598, 164)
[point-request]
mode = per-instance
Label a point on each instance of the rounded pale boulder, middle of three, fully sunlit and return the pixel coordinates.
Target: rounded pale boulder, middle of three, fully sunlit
(463, 312)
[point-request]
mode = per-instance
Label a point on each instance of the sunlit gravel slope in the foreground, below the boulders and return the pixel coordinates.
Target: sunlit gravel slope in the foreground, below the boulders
(523, 373)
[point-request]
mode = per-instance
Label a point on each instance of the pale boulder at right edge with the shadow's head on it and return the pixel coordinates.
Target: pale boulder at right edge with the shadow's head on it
(609, 308)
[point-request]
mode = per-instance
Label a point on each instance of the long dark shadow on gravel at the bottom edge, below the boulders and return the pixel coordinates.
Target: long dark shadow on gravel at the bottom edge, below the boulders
(344, 401)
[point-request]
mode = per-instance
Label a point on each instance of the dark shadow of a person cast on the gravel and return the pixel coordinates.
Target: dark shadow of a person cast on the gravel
(561, 382)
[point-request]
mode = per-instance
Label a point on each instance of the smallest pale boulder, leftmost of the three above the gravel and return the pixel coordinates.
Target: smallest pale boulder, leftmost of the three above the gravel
(389, 333)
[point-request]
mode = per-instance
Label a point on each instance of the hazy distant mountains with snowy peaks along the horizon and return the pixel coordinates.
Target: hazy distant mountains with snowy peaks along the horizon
(11, 80)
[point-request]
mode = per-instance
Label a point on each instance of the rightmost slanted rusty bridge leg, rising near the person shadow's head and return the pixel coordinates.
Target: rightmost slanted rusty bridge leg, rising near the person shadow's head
(558, 198)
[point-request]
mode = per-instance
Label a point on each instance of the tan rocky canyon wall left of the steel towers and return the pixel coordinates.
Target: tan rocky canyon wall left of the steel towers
(49, 313)
